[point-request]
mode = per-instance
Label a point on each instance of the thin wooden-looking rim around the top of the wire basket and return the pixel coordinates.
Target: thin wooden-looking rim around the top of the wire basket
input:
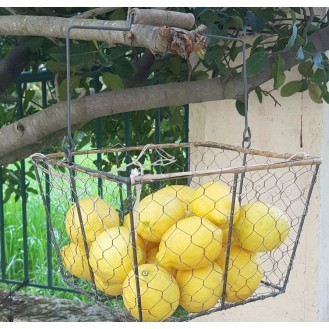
(288, 160)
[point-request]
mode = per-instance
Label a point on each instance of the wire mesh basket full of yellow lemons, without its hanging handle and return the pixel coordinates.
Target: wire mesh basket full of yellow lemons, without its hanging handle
(175, 231)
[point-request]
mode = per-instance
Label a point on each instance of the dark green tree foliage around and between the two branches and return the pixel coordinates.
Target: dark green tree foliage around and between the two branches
(96, 66)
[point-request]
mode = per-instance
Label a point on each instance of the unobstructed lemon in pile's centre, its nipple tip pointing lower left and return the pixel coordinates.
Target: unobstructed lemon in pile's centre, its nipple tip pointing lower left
(192, 242)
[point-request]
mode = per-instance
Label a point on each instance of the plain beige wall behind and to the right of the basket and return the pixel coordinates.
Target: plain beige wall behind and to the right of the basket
(278, 129)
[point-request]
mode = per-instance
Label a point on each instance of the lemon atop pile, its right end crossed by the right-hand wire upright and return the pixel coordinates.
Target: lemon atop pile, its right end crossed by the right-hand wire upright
(213, 200)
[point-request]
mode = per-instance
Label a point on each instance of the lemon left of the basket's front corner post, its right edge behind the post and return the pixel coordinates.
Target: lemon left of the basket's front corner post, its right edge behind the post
(111, 255)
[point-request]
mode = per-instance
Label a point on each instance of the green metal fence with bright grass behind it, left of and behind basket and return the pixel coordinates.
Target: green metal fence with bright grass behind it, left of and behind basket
(20, 233)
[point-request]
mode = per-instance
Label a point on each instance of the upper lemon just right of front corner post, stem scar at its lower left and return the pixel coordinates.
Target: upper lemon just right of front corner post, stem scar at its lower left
(157, 213)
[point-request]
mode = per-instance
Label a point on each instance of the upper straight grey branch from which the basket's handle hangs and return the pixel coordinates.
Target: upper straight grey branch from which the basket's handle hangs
(146, 36)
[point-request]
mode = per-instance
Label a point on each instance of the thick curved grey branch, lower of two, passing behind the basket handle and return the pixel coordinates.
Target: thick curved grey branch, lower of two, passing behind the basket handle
(40, 130)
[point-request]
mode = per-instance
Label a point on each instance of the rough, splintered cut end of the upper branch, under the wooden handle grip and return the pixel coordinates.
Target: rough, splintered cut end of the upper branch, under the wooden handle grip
(182, 42)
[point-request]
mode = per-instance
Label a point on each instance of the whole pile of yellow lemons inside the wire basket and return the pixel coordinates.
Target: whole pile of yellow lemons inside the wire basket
(180, 244)
